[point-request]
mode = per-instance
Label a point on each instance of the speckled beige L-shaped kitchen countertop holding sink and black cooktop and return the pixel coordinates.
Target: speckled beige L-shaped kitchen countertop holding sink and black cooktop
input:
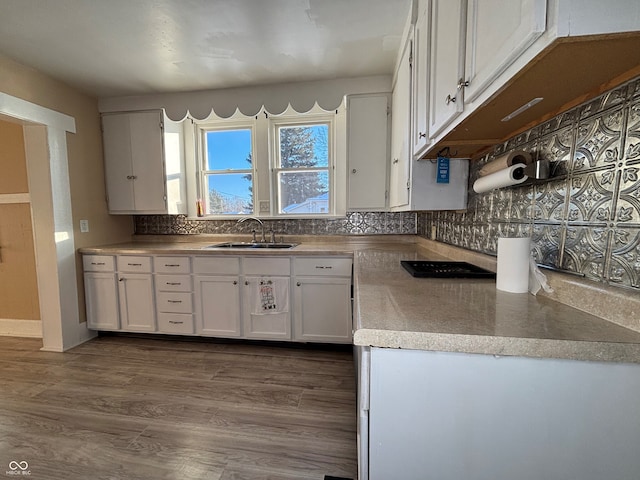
(395, 310)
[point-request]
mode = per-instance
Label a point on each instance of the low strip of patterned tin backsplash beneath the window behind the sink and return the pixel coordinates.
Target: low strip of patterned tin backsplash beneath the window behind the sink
(356, 223)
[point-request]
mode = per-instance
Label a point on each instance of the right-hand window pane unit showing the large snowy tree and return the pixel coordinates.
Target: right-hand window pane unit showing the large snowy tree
(302, 169)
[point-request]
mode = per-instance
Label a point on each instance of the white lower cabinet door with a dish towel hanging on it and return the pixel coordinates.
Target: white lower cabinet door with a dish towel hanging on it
(263, 325)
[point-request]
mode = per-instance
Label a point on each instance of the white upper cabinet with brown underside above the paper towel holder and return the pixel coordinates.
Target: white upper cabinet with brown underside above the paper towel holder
(479, 50)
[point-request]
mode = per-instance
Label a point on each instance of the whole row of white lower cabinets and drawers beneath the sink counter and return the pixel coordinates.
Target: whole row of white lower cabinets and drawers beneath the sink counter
(222, 296)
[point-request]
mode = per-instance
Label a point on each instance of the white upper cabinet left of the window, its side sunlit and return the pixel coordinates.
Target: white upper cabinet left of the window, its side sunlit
(144, 163)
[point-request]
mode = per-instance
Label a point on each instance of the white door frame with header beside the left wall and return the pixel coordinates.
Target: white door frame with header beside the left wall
(45, 134)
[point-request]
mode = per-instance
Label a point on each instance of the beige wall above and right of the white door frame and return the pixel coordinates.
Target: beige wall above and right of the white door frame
(86, 170)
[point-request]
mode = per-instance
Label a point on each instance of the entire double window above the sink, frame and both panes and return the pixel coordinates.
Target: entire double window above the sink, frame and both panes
(288, 165)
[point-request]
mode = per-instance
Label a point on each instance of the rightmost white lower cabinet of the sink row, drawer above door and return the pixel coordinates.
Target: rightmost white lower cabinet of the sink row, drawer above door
(322, 299)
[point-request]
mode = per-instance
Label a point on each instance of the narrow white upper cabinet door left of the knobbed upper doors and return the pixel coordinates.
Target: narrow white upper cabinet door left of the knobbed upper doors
(420, 93)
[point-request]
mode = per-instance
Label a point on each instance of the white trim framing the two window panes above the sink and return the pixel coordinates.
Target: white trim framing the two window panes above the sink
(263, 155)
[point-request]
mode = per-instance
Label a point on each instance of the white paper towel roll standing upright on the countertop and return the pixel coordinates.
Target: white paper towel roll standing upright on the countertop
(512, 273)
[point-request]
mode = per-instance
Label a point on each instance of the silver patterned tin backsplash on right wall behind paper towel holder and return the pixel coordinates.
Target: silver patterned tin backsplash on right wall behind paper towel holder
(586, 219)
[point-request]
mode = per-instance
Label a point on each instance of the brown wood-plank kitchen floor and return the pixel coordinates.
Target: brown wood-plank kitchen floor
(152, 408)
